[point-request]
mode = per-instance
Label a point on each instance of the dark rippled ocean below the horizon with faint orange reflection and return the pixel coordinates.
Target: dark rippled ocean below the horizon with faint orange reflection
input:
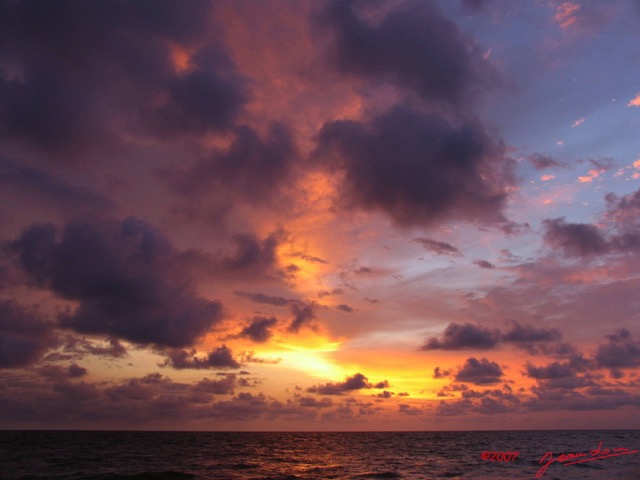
(76, 455)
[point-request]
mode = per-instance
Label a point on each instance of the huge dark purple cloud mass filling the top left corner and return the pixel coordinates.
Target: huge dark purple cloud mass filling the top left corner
(119, 76)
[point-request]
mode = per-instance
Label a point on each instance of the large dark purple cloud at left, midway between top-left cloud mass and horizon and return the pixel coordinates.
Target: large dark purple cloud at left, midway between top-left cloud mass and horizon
(127, 278)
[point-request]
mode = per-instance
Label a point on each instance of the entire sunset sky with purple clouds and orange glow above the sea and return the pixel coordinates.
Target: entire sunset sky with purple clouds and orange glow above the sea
(319, 215)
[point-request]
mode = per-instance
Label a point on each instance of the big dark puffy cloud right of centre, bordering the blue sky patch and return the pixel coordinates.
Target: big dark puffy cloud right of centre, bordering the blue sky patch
(418, 167)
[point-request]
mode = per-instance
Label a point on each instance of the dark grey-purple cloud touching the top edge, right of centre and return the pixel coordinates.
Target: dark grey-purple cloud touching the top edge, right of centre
(413, 46)
